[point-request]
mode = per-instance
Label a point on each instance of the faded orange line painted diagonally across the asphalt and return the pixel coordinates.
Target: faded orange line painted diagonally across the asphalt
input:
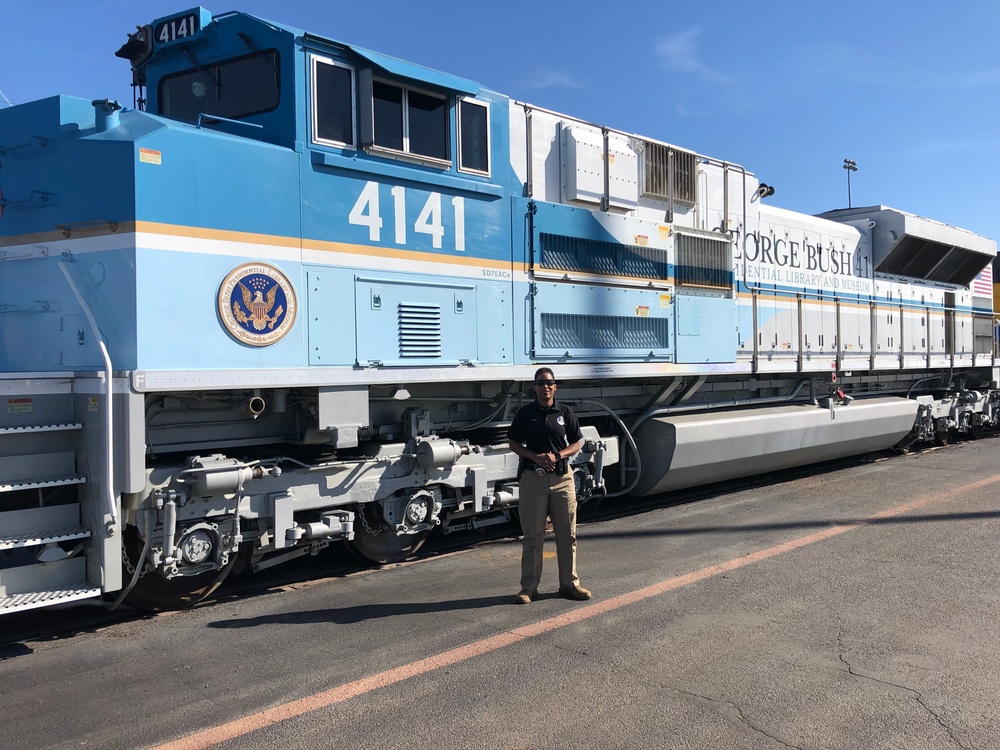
(221, 733)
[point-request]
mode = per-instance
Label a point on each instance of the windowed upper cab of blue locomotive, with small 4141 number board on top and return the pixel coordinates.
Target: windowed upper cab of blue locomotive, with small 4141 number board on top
(238, 74)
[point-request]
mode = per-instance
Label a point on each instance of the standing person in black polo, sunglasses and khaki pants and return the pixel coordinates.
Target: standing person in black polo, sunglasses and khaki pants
(546, 435)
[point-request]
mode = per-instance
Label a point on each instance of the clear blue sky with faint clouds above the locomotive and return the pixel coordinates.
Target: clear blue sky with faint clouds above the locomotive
(908, 89)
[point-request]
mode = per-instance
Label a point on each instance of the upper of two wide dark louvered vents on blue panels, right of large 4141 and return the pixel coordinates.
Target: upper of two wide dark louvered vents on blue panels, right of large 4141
(607, 258)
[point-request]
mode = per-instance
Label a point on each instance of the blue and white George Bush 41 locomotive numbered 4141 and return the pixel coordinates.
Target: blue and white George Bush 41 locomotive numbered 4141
(294, 294)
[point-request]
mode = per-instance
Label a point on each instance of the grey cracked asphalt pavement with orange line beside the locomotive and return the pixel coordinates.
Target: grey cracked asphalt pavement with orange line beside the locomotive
(851, 608)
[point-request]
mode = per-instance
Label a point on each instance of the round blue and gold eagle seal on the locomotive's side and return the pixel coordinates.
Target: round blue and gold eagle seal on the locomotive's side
(257, 304)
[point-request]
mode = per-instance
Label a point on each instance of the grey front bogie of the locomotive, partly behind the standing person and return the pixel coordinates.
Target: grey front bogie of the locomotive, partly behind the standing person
(216, 502)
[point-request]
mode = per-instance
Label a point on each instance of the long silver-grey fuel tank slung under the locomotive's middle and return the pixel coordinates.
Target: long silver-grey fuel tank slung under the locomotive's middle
(687, 450)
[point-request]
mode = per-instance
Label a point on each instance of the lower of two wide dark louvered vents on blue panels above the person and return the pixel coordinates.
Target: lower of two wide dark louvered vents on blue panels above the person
(567, 332)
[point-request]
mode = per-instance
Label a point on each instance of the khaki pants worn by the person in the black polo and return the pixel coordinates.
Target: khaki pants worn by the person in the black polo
(554, 496)
